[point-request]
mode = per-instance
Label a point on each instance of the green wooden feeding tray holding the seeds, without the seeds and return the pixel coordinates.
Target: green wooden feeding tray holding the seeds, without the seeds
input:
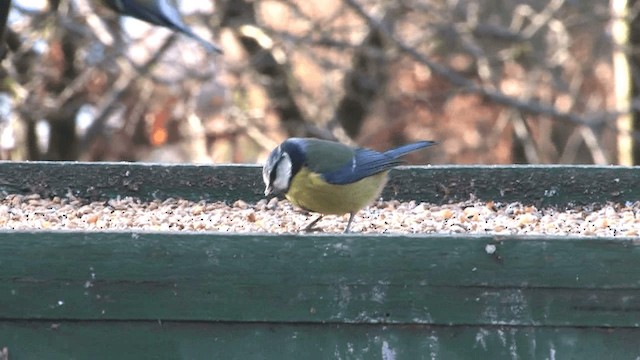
(191, 295)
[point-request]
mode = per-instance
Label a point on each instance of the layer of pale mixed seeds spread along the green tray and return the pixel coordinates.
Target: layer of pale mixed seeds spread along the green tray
(31, 212)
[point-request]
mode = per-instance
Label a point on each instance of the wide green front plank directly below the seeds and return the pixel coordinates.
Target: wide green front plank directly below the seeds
(353, 279)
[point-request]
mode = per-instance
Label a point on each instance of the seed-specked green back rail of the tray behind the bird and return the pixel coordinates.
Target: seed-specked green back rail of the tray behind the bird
(540, 185)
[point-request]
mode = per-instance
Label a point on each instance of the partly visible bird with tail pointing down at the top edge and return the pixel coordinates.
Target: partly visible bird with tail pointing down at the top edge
(158, 12)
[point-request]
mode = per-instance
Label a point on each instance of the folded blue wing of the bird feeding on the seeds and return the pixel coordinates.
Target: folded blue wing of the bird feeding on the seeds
(365, 163)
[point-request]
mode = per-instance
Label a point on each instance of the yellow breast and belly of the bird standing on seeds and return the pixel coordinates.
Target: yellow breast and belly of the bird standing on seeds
(309, 191)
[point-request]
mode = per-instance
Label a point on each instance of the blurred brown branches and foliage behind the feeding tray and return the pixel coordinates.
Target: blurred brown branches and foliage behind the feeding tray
(494, 82)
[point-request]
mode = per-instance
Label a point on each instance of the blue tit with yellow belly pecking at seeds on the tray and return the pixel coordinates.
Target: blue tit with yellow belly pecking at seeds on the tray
(328, 177)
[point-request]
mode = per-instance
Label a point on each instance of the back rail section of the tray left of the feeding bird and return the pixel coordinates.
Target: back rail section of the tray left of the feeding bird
(146, 181)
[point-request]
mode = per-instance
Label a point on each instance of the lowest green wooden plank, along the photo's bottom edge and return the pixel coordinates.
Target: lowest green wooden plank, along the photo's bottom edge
(205, 340)
